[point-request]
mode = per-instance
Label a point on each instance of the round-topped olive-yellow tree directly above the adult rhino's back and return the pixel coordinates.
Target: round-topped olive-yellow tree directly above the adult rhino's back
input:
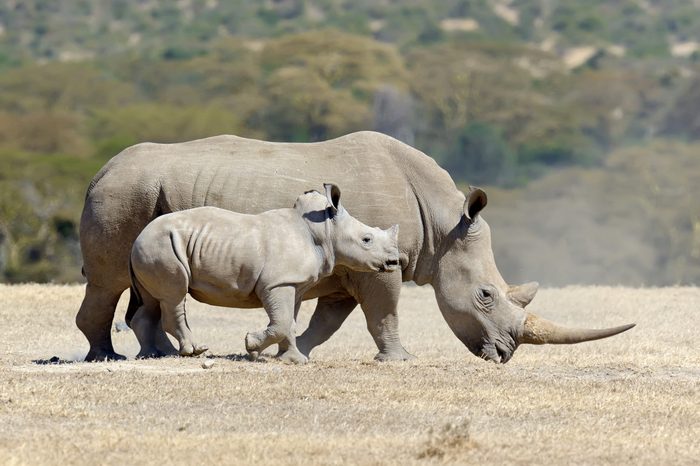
(316, 91)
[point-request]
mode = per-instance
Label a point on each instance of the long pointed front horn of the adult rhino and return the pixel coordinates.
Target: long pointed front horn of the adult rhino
(539, 331)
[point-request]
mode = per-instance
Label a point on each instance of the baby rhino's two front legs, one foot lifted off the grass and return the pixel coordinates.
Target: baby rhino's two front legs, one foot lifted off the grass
(279, 304)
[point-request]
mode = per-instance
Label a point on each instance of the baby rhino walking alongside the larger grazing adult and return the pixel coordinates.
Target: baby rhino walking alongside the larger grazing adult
(268, 260)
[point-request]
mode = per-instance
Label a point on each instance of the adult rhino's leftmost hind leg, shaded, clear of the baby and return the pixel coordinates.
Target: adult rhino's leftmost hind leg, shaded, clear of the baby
(94, 319)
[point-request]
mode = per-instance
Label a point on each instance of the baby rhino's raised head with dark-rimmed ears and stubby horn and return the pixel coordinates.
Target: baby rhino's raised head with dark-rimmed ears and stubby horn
(354, 244)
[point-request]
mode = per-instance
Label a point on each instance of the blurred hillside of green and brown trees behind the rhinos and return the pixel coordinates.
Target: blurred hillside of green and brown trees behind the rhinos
(579, 117)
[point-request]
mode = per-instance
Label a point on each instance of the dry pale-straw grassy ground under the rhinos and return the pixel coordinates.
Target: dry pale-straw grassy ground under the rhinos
(630, 399)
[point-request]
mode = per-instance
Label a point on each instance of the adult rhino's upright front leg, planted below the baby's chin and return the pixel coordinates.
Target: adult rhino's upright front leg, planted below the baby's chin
(379, 297)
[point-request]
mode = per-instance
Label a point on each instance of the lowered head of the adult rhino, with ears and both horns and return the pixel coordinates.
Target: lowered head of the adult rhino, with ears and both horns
(485, 313)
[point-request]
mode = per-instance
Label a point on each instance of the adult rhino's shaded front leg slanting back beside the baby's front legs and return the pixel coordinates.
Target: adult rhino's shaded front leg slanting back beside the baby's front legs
(330, 313)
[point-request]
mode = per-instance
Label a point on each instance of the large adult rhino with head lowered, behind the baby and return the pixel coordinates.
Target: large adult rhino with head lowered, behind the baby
(444, 241)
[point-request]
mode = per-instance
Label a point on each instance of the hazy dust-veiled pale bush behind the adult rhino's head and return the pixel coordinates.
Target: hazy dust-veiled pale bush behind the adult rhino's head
(635, 221)
